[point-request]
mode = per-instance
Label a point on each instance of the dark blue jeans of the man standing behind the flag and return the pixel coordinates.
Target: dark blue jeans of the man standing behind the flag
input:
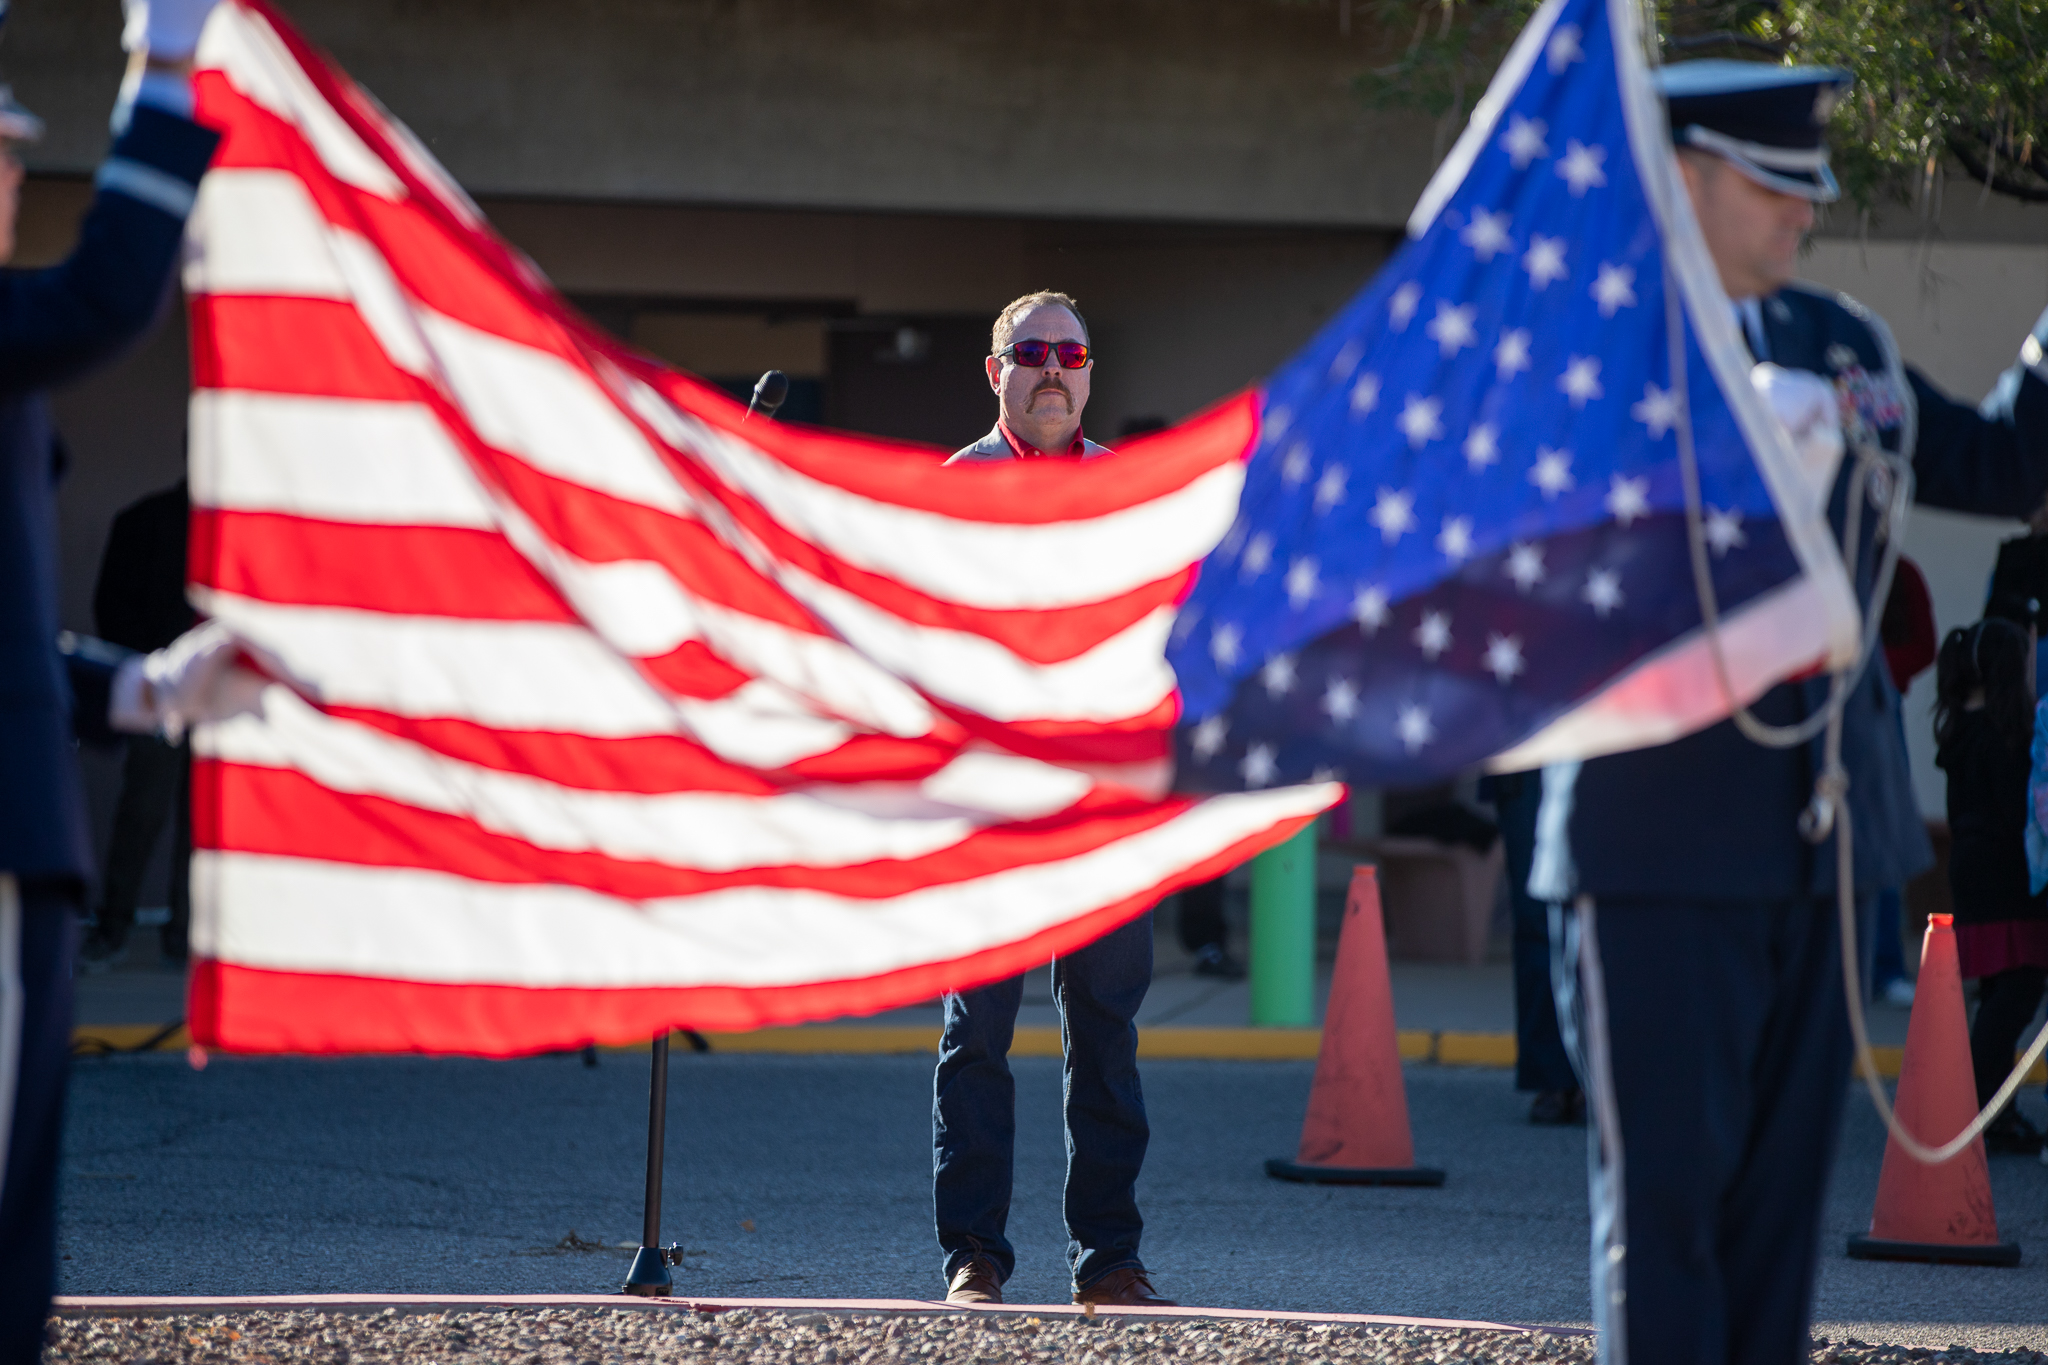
(974, 1110)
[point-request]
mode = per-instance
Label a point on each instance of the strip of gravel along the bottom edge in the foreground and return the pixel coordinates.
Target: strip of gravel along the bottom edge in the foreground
(630, 1337)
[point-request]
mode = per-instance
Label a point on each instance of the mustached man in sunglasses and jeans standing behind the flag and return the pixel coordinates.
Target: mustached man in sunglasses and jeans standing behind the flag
(1039, 369)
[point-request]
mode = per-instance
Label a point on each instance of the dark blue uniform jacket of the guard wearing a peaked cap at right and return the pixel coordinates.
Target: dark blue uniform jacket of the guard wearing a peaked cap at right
(1715, 816)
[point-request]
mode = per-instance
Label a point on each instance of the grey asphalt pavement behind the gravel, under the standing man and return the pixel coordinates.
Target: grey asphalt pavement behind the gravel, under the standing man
(796, 1176)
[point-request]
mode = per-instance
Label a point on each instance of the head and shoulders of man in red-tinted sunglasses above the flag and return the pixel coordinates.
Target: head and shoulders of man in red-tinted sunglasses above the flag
(1039, 369)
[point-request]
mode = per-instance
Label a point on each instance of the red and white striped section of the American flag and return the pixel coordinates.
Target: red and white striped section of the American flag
(572, 709)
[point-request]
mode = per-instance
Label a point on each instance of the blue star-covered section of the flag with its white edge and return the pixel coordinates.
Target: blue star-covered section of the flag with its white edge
(1463, 533)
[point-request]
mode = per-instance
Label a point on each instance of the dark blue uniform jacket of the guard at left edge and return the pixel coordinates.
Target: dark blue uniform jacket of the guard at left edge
(58, 324)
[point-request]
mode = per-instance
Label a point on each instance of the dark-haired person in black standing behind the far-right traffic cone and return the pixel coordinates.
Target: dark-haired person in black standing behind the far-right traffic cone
(1983, 728)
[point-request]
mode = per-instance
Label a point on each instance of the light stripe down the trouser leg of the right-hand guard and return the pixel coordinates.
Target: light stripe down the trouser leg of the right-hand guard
(1582, 1014)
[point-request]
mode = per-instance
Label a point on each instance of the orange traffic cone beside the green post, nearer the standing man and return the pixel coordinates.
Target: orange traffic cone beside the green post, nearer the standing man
(1357, 1131)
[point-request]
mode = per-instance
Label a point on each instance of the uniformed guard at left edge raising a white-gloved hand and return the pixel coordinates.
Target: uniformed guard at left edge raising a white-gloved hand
(58, 324)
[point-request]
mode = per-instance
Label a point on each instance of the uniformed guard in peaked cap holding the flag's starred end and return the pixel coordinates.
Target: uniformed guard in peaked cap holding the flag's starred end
(1713, 1000)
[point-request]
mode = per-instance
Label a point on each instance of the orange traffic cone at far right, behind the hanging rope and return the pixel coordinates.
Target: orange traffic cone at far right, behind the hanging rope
(1936, 1213)
